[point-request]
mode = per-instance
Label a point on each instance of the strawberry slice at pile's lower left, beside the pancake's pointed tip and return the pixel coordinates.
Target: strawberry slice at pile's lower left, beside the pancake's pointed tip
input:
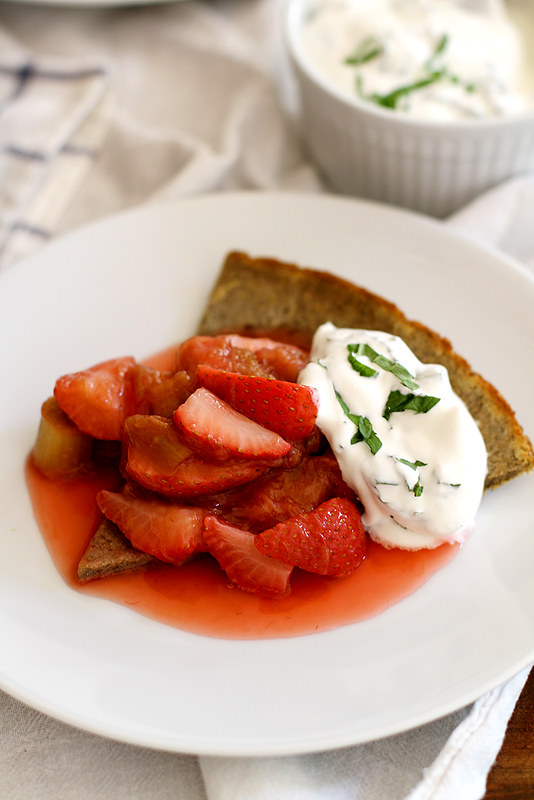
(167, 531)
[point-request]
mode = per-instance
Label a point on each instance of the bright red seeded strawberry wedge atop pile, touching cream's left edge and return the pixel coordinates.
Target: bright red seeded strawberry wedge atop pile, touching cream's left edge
(289, 409)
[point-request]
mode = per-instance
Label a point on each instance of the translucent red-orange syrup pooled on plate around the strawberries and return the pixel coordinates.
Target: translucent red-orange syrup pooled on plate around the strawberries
(197, 598)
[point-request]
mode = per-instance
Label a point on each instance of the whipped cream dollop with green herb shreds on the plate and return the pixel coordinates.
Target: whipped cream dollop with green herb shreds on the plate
(405, 442)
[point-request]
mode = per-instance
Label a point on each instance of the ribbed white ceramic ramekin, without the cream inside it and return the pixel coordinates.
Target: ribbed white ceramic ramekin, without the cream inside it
(366, 151)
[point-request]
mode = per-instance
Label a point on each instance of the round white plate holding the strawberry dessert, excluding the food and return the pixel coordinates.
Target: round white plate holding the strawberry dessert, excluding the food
(136, 283)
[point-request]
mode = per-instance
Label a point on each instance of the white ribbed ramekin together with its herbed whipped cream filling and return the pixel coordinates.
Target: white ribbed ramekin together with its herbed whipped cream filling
(413, 103)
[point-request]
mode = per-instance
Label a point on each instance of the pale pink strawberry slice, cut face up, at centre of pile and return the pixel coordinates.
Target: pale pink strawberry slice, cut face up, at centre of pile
(213, 428)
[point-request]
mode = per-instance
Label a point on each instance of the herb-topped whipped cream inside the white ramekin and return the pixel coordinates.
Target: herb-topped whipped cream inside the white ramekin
(450, 60)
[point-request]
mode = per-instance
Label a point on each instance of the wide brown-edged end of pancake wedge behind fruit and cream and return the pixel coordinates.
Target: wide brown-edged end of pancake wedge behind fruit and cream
(266, 293)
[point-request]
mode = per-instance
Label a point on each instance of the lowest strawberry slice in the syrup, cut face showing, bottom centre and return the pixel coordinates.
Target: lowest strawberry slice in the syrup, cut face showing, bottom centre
(242, 562)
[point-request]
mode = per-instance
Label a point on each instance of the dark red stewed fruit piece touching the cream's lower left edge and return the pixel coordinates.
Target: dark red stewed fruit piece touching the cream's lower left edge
(282, 494)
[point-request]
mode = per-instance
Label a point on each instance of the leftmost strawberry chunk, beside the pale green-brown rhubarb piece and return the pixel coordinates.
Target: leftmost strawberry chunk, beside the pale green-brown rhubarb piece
(98, 399)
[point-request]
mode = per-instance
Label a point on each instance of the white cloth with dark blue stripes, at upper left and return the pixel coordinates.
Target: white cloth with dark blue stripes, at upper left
(53, 119)
